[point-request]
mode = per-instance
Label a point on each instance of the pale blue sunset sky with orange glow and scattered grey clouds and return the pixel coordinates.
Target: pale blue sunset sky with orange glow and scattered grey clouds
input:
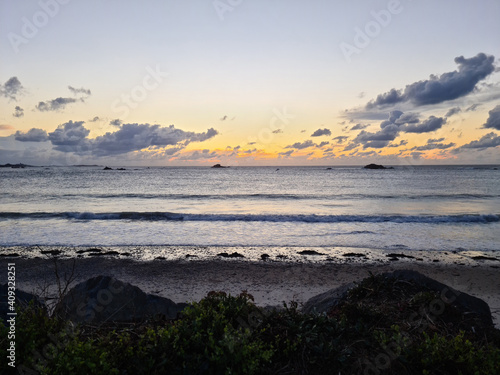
(240, 82)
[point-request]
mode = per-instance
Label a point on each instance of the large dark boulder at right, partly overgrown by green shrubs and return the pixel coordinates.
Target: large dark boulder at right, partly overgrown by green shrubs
(475, 309)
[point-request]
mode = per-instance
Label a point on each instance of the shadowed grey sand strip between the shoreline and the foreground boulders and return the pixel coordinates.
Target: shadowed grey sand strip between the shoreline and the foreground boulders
(270, 282)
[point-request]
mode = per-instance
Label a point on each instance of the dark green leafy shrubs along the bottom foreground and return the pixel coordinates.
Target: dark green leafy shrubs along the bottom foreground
(381, 328)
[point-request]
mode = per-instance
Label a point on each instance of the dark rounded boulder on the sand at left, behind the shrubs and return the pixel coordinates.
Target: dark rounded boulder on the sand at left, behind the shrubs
(106, 299)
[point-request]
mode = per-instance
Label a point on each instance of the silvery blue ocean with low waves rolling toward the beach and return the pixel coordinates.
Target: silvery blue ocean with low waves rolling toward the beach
(432, 208)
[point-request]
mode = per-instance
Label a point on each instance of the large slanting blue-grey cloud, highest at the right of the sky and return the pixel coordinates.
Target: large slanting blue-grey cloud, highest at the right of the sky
(438, 89)
